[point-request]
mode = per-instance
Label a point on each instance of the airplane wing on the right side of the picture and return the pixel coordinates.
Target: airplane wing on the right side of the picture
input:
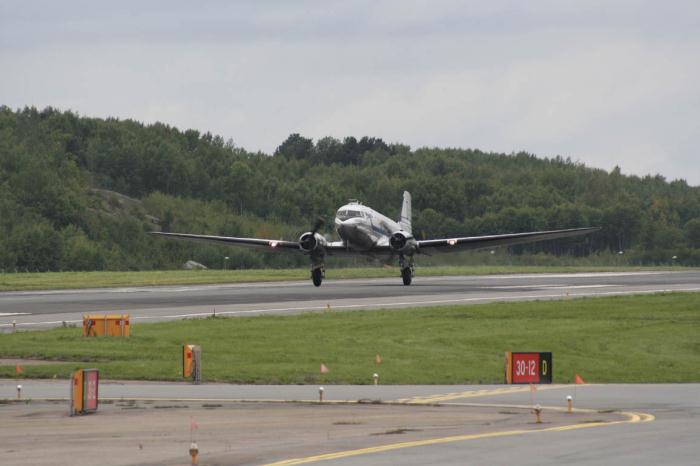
(484, 242)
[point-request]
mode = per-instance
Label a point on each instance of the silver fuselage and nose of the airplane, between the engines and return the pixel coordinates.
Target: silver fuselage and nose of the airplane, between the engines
(362, 228)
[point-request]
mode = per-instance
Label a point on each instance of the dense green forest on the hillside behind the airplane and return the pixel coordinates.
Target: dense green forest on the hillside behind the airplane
(80, 193)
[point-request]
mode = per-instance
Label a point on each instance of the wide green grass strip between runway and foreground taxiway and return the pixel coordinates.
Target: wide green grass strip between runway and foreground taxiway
(619, 339)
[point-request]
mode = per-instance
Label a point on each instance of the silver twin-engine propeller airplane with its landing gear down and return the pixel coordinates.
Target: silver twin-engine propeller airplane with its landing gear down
(365, 231)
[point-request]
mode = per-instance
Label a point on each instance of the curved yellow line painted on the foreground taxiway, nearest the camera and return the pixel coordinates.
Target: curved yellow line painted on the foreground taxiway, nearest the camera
(632, 418)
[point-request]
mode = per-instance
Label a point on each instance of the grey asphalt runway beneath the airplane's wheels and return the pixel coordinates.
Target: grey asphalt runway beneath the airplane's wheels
(37, 309)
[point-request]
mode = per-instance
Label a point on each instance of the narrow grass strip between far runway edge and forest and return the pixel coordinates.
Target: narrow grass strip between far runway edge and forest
(69, 280)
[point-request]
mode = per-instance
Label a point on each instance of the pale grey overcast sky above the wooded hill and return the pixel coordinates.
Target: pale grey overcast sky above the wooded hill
(603, 82)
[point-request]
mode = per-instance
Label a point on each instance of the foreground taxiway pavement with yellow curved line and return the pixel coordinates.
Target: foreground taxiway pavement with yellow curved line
(149, 423)
